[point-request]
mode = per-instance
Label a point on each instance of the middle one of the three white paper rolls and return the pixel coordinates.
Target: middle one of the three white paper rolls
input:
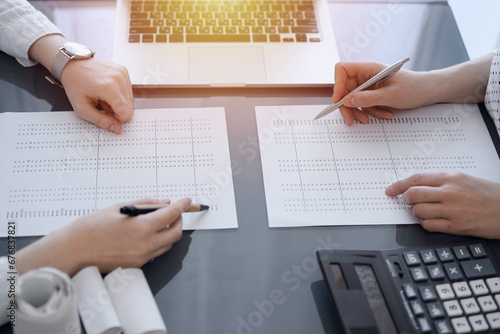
(94, 303)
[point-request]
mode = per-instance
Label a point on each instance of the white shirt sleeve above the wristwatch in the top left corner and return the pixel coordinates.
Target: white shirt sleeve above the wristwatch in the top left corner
(20, 26)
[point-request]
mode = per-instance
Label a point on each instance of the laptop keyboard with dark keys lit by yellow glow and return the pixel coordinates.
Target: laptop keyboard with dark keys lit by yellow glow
(191, 21)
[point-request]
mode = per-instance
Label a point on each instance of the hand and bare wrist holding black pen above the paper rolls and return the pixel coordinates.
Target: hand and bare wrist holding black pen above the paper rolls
(107, 239)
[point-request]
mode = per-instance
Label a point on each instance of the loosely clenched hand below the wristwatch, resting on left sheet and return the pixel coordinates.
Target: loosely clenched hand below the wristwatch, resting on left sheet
(92, 83)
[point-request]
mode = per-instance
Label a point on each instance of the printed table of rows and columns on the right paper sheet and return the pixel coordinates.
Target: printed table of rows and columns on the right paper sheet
(326, 167)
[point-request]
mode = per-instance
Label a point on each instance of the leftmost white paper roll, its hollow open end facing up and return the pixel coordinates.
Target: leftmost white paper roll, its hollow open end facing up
(46, 303)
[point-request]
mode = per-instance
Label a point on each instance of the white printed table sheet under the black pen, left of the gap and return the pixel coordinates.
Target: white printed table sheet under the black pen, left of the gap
(55, 167)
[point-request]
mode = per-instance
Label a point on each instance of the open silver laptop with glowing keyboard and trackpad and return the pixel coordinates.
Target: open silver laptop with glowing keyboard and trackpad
(225, 43)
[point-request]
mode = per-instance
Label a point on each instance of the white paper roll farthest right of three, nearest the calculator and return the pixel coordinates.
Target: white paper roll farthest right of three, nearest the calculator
(134, 302)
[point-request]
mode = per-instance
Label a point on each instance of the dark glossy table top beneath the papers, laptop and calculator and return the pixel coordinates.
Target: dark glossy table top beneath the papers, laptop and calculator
(216, 281)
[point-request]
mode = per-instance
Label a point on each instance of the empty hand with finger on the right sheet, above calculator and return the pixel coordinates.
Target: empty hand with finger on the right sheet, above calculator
(453, 203)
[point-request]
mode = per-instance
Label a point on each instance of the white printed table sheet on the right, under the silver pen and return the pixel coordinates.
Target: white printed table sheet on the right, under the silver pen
(323, 172)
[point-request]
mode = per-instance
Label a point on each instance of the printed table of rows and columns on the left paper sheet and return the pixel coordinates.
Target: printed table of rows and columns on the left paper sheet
(87, 168)
